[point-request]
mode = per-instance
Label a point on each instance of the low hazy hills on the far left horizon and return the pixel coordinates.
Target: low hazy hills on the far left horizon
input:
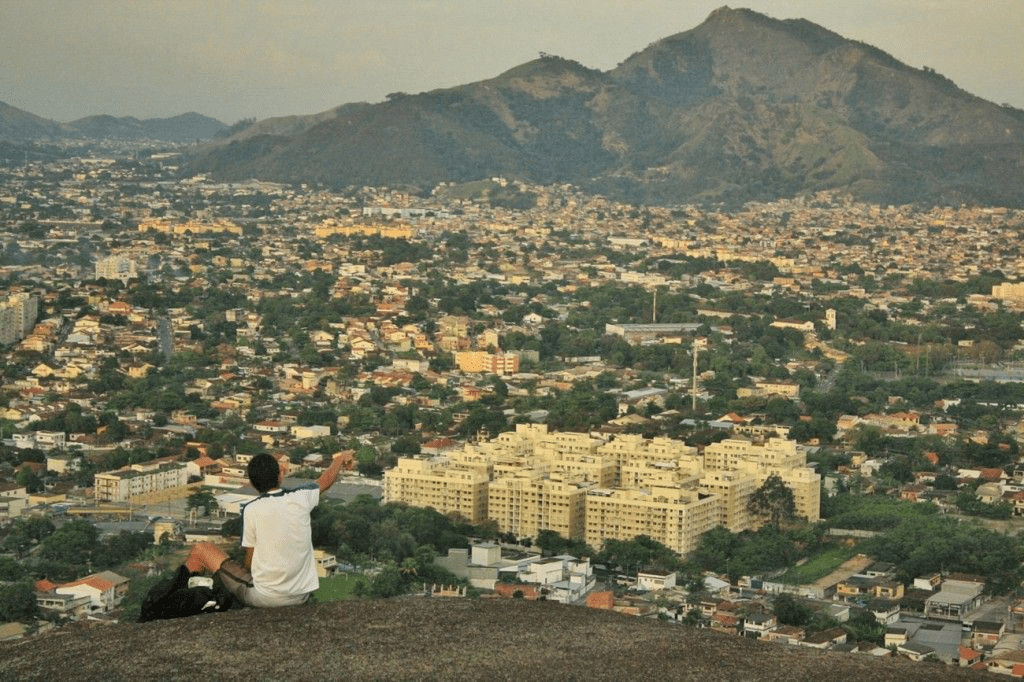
(18, 126)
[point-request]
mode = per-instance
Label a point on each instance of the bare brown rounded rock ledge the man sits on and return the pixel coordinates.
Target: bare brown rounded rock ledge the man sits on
(411, 638)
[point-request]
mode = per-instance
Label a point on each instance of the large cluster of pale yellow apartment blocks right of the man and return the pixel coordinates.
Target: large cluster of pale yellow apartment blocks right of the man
(595, 489)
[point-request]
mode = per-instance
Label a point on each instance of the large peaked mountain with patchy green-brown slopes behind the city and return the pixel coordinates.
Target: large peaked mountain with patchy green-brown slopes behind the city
(742, 108)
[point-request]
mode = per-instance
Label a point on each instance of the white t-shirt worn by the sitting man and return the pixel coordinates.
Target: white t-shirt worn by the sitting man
(277, 526)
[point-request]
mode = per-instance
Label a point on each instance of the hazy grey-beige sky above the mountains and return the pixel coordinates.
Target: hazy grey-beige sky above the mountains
(231, 60)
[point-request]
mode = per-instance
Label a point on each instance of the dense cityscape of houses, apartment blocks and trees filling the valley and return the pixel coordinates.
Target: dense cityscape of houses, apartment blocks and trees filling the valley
(798, 421)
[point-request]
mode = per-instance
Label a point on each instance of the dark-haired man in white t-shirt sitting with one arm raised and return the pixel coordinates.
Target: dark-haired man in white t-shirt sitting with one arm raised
(279, 569)
